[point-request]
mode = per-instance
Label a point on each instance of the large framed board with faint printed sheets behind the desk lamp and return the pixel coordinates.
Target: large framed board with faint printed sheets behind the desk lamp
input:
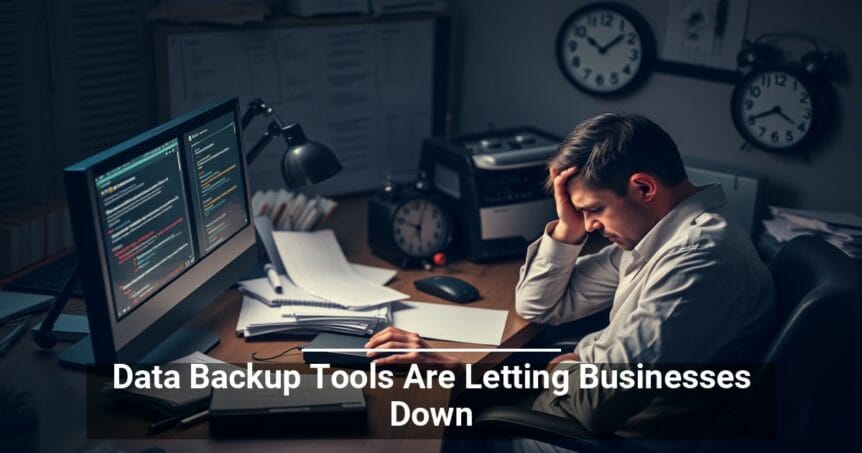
(369, 88)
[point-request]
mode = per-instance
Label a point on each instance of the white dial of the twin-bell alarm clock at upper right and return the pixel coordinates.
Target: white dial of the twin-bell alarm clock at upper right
(776, 109)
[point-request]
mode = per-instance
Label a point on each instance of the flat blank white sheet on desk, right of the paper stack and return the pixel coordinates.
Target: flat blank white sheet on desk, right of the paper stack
(450, 322)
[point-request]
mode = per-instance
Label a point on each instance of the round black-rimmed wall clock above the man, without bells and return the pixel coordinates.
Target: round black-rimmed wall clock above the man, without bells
(604, 48)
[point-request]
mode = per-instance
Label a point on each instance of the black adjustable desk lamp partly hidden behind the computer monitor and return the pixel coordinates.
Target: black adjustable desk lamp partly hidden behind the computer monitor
(304, 163)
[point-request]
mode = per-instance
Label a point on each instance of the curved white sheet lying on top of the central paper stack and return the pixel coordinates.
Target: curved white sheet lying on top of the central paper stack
(315, 262)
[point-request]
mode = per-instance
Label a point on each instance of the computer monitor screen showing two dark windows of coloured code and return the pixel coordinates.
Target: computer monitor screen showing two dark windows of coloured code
(166, 208)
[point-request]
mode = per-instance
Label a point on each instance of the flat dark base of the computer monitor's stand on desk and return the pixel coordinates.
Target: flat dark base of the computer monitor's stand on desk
(182, 343)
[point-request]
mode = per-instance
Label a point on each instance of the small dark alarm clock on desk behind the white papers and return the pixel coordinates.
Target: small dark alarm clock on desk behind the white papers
(408, 225)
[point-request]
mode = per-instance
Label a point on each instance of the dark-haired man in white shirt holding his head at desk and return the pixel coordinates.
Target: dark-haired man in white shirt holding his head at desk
(682, 279)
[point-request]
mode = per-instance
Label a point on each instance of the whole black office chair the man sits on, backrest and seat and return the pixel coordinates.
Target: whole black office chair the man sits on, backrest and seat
(806, 392)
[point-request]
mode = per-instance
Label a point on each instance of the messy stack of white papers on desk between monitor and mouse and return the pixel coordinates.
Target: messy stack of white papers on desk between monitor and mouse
(320, 292)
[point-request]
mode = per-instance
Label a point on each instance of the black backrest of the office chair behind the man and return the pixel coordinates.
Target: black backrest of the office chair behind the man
(807, 389)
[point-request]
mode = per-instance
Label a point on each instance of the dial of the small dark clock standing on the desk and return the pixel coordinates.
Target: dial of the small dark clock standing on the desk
(420, 228)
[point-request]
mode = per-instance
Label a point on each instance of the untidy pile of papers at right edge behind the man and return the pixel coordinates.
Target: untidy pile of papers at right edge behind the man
(843, 230)
